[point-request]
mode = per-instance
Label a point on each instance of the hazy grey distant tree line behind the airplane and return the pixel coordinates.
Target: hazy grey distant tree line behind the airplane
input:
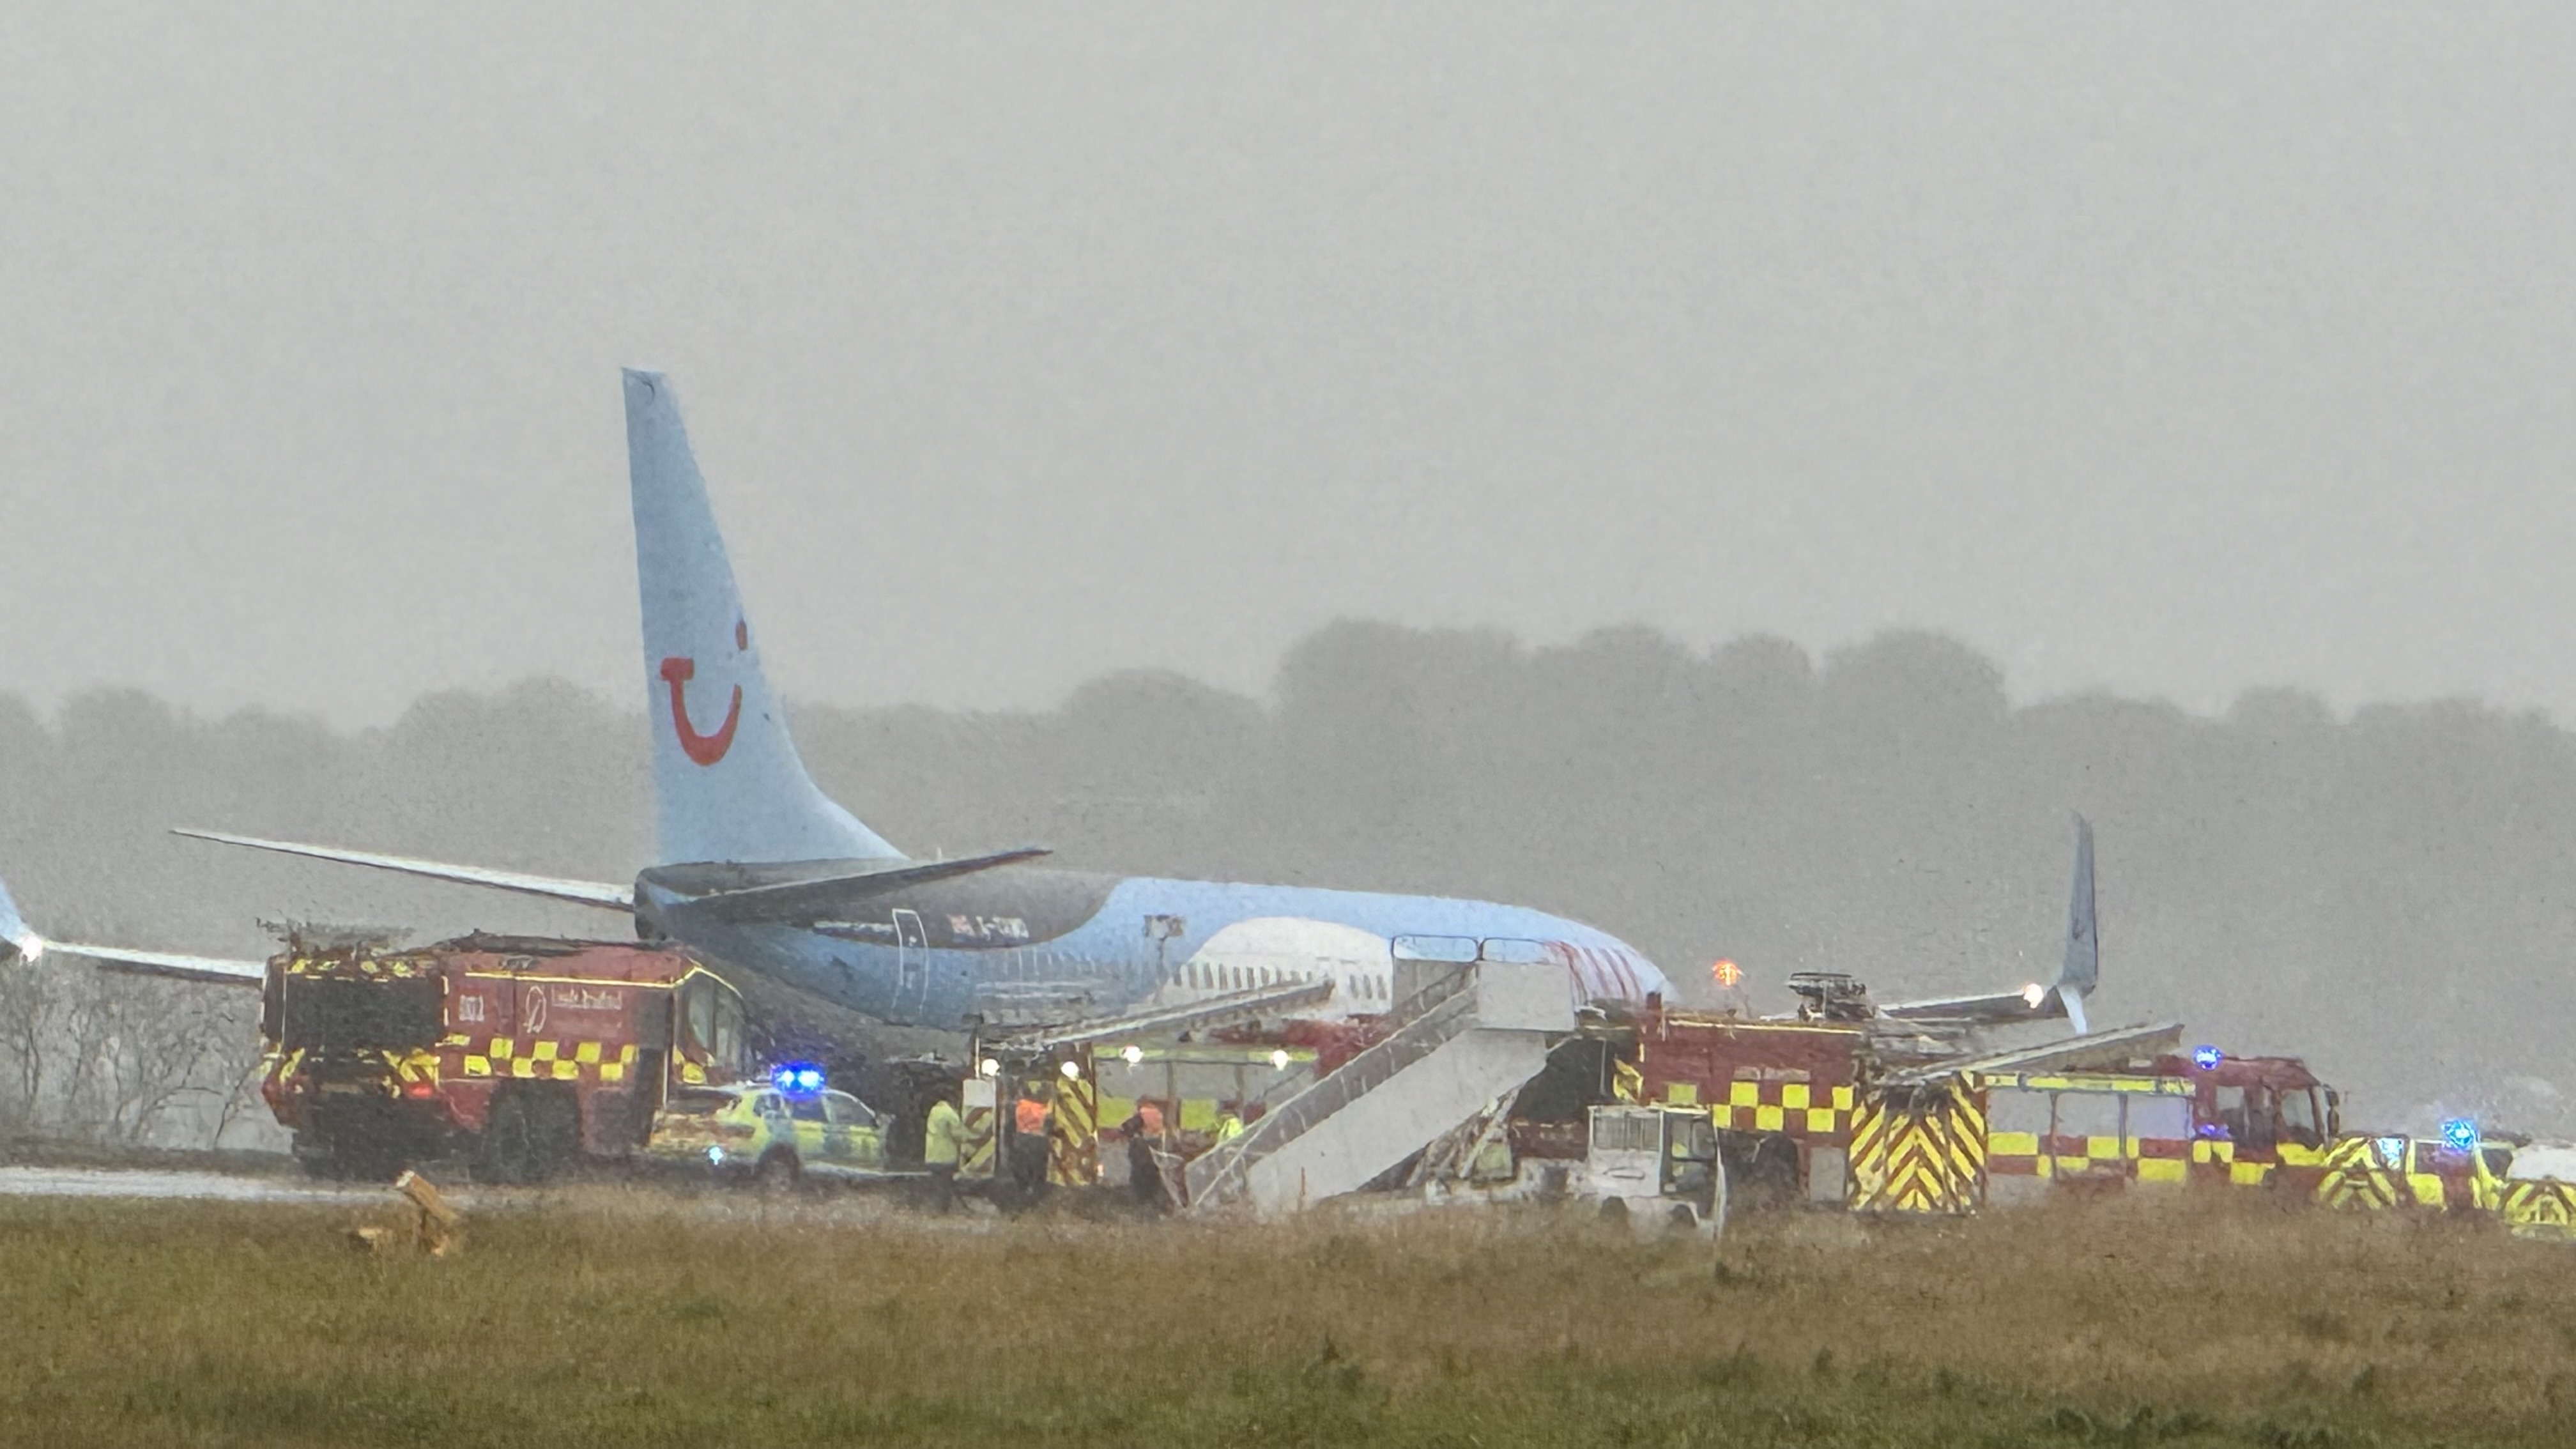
(2384, 893)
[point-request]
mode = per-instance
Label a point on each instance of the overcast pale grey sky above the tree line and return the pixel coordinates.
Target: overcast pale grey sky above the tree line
(2168, 349)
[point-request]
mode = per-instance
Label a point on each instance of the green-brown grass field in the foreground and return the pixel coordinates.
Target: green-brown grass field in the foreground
(638, 1319)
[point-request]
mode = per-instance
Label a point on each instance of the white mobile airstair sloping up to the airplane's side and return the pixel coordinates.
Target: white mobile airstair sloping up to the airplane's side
(1457, 1045)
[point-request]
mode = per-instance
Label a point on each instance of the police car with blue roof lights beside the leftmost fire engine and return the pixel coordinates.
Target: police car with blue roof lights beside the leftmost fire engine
(772, 1133)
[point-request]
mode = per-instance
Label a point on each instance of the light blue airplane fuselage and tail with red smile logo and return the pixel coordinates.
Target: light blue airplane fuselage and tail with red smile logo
(761, 873)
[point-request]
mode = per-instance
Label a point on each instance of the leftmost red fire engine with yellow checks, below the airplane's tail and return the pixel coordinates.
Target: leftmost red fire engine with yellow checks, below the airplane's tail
(516, 1053)
